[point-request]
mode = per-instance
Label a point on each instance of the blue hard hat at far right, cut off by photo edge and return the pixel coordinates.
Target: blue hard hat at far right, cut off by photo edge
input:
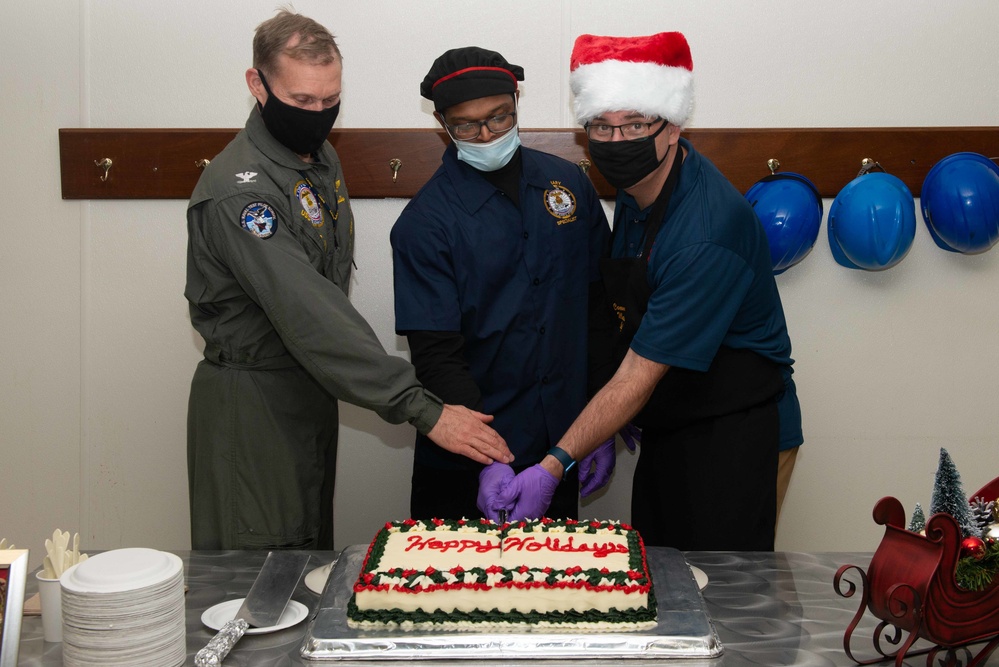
(960, 202)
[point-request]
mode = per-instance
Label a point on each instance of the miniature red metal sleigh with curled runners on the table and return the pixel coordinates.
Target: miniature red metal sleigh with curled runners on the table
(910, 586)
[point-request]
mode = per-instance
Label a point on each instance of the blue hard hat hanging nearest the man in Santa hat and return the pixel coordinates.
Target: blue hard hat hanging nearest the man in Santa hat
(790, 208)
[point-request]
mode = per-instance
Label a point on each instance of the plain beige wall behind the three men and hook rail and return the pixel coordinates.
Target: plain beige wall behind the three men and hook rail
(98, 350)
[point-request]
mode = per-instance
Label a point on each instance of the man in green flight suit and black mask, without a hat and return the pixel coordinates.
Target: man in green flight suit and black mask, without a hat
(271, 239)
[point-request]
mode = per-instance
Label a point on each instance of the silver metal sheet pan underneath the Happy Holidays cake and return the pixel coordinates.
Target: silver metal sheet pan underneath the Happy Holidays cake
(684, 629)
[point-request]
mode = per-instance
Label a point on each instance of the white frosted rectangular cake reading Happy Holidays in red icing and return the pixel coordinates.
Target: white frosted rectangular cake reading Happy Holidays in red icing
(475, 575)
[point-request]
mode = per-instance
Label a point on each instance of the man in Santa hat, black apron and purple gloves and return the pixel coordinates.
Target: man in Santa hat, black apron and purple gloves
(693, 338)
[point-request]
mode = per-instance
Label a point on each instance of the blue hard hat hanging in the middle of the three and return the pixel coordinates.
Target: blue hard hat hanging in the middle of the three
(872, 222)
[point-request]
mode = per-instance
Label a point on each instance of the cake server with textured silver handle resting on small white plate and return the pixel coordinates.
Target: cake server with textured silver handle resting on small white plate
(263, 606)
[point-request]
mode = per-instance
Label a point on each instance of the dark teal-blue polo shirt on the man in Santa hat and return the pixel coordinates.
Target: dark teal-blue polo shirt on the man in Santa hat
(712, 280)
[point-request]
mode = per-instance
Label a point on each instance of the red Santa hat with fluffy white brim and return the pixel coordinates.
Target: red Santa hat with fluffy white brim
(652, 75)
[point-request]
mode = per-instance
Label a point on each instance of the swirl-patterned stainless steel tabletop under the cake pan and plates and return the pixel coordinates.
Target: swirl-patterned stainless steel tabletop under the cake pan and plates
(770, 609)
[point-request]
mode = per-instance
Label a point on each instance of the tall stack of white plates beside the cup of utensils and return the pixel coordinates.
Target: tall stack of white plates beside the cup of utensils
(124, 607)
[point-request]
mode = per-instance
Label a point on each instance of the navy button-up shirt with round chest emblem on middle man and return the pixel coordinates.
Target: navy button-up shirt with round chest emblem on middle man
(514, 282)
